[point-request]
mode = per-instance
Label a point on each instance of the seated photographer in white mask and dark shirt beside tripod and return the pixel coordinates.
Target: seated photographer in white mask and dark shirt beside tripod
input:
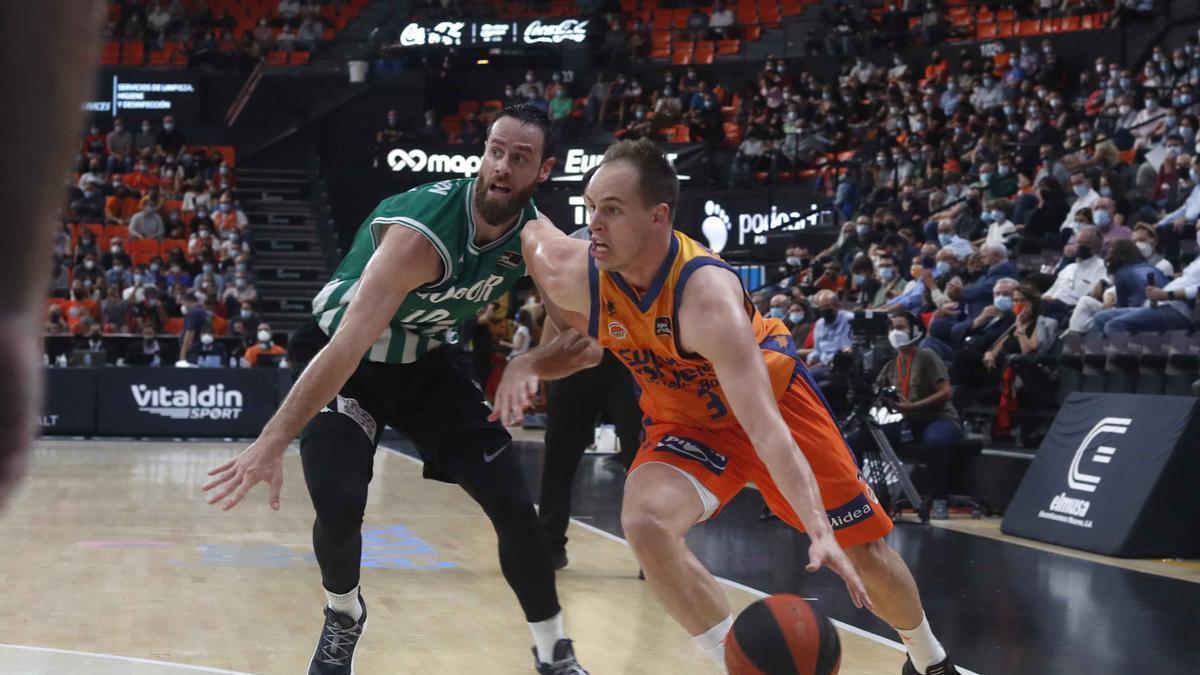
(923, 398)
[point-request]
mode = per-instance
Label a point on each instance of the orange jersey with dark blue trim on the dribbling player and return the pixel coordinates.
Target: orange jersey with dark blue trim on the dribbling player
(643, 330)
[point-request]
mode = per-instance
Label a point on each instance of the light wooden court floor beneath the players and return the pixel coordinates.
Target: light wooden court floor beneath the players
(115, 565)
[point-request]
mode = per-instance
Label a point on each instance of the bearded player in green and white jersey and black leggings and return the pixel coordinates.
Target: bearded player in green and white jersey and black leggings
(422, 264)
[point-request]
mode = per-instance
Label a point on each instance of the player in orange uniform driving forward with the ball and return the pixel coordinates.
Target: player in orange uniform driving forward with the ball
(727, 398)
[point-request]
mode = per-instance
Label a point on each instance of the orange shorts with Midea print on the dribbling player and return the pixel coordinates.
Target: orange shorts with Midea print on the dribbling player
(723, 461)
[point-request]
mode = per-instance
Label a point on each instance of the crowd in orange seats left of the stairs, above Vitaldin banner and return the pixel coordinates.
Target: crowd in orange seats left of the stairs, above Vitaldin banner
(153, 242)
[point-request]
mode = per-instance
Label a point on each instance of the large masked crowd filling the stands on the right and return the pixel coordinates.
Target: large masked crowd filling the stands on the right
(1010, 206)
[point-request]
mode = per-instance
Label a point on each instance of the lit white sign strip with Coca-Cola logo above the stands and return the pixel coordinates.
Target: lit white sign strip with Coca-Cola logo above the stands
(465, 34)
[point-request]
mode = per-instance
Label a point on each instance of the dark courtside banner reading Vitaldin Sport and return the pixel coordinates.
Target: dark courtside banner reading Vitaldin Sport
(185, 402)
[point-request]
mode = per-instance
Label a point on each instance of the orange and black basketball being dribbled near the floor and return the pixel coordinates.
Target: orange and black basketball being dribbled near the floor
(783, 635)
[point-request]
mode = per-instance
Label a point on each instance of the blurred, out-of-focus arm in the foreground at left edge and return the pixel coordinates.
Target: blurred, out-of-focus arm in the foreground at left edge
(47, 65)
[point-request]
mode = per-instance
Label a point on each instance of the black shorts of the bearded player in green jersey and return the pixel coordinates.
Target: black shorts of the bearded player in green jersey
(435, 402)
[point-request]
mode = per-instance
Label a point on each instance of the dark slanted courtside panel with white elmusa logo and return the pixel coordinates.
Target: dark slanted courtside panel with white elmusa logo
(1118, 475)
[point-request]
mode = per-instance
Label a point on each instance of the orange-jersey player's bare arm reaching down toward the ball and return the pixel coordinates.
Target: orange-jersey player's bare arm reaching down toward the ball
(713, 324)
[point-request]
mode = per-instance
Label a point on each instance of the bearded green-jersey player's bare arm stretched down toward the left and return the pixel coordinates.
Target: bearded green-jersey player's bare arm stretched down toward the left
(404, 262)
